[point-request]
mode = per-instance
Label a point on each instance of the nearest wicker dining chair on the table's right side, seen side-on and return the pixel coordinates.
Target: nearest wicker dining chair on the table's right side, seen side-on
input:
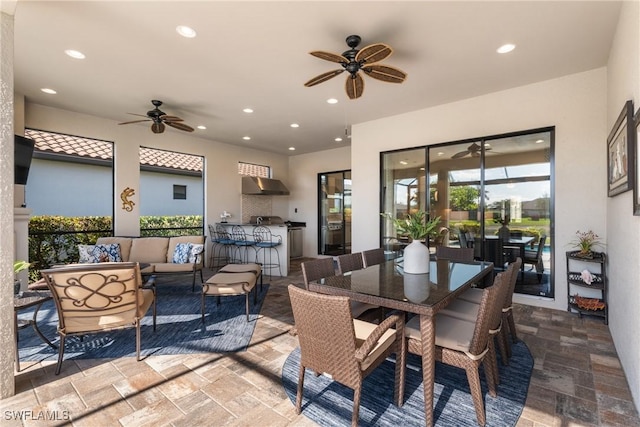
(465, 344)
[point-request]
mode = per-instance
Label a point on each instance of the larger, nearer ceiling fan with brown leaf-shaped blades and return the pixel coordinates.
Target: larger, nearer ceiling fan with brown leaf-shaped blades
(356, 60)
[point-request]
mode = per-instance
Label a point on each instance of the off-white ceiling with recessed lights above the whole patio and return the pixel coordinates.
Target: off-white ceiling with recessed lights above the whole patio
(255, 54)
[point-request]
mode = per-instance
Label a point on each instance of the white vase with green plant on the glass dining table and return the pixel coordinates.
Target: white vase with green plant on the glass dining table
(416, 226)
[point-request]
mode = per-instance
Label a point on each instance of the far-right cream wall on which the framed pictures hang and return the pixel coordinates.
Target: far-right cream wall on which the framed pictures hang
(623, 229)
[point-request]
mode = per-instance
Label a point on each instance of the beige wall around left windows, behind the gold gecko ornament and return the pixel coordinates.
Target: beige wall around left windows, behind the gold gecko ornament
(222, 183)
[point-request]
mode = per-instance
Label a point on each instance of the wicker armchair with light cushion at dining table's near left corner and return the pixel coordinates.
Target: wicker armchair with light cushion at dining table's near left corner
(347, 349)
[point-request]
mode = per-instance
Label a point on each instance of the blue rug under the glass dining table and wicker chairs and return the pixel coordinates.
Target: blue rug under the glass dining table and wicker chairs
(329, 403)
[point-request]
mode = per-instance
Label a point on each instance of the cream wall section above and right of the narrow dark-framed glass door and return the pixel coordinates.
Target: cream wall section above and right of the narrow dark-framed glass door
(304, 189)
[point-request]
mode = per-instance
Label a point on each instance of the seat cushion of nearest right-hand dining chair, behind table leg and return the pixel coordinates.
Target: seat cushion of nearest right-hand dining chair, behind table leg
(451, 333)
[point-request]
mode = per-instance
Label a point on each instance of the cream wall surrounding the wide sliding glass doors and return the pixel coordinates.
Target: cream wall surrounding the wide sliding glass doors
(574, 104)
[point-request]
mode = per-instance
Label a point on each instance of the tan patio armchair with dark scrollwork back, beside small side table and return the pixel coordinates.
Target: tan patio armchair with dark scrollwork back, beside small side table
(101, 297)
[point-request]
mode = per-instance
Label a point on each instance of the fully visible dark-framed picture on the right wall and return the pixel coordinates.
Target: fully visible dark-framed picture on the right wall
(620, 149)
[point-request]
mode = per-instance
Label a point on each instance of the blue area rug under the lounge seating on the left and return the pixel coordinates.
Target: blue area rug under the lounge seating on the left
(179, 329)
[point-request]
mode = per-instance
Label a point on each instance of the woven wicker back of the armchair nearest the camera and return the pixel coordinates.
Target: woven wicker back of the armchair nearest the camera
(326, 334)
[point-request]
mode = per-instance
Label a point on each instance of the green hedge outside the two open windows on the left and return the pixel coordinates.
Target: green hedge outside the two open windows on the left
(55, 239)
